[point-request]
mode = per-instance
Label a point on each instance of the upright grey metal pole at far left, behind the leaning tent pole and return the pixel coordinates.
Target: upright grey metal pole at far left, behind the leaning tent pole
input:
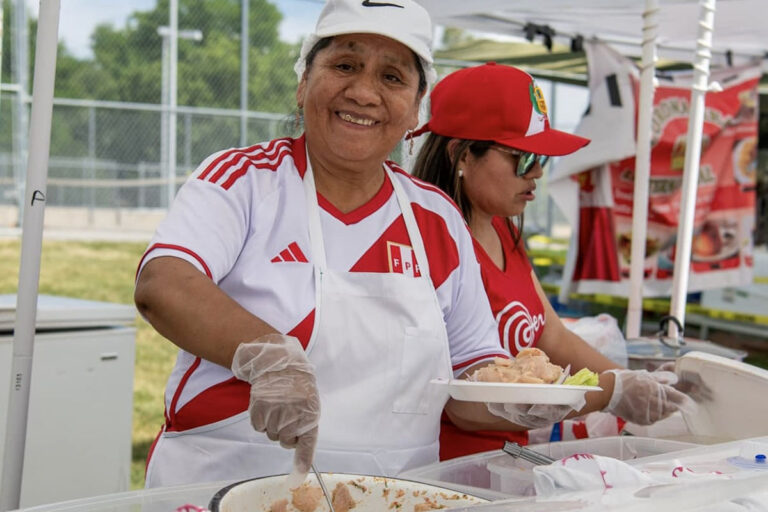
(20, 65)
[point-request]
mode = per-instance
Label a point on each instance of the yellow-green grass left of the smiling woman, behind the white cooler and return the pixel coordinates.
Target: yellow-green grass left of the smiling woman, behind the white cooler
(105, 272)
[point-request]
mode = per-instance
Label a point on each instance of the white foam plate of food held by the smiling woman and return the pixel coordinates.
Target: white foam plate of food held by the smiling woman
(504, 392)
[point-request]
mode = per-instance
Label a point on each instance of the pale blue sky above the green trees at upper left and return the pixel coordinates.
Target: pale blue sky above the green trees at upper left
(79, 17)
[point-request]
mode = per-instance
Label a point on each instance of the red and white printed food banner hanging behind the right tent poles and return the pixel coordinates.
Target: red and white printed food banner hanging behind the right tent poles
(595, 186)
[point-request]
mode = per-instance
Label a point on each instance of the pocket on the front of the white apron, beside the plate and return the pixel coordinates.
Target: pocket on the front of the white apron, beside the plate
(422, 355)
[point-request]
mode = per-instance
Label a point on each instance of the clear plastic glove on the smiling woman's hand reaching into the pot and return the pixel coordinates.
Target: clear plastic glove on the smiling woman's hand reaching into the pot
(284, 400)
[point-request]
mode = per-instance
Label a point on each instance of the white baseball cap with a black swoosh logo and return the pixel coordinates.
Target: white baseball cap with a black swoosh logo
(404, 21)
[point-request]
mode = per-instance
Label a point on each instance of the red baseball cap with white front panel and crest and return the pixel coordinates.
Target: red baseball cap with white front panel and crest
(498, 103)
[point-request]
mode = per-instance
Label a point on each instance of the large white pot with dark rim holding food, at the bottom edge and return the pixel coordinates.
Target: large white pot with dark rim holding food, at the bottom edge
(371, 494)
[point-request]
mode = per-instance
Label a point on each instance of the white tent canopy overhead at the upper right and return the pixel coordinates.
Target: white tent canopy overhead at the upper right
(740, 26)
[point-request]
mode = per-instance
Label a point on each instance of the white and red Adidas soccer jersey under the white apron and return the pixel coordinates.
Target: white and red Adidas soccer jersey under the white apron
(241, 219)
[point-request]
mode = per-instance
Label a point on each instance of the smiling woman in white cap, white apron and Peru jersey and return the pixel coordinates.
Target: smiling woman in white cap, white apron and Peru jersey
(310, 275)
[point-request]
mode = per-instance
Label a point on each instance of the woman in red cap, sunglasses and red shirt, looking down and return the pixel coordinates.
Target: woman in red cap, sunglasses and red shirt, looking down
(490, 137)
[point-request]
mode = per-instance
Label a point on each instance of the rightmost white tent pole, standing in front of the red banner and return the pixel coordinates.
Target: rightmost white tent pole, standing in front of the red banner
(691, 166)
